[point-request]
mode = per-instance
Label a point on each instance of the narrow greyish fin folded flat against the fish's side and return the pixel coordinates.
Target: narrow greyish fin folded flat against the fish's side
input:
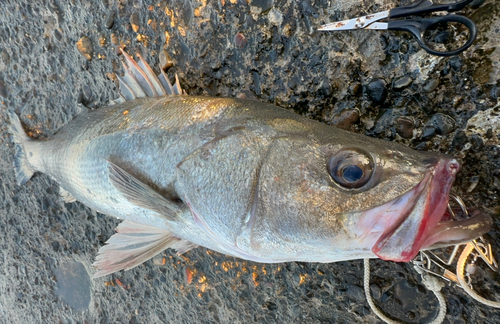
(140, 194)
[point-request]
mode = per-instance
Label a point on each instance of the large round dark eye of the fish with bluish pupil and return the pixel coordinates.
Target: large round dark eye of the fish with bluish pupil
(350, 168)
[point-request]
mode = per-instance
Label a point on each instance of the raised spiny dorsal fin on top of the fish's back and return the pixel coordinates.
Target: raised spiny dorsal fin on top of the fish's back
(139, 80)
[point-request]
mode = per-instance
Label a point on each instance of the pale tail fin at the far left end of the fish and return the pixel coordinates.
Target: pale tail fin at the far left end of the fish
(22, 168)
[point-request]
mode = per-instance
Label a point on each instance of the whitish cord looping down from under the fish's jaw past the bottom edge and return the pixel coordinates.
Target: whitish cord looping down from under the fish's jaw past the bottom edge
(430, 282)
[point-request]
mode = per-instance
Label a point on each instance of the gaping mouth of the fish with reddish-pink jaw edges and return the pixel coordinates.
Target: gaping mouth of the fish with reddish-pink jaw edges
(418, 220)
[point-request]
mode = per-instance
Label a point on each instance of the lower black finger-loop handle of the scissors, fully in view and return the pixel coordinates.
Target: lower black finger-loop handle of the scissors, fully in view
(418, 27)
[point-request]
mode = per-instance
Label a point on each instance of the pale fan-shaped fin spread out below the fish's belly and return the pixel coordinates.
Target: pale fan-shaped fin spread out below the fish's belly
(134, 244)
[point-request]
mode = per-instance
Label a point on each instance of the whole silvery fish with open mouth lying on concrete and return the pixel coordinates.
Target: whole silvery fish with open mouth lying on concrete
(243, 178)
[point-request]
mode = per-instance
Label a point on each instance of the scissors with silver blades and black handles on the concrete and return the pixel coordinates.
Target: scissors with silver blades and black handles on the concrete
(420, 28)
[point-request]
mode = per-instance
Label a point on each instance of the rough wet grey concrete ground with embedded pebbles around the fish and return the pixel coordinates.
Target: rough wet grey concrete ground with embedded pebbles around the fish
(372, 82)
